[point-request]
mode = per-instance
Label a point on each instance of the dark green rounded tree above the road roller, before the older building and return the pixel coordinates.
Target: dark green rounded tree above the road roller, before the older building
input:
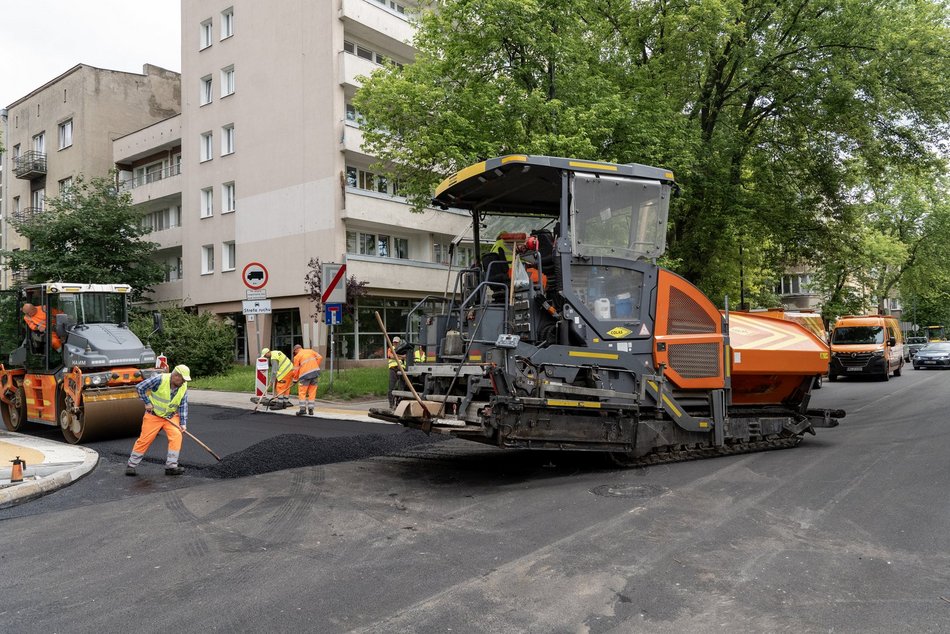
(90, 234)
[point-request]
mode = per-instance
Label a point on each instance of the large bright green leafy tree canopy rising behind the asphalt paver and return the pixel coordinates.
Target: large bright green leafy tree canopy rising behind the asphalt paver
(774, 115)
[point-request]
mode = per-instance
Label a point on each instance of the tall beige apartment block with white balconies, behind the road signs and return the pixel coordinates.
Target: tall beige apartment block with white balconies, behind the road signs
(272, 171)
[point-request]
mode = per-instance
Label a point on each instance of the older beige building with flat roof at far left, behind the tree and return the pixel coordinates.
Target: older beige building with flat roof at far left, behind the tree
(65, 128)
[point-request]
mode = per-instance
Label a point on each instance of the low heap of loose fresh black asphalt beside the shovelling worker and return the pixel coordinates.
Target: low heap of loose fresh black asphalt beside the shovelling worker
(288, 451)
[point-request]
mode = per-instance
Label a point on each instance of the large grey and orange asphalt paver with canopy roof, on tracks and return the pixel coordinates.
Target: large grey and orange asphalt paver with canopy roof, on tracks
(569, 336)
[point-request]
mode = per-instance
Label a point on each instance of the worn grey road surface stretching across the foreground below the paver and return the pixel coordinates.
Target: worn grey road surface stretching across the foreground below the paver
(845, 533)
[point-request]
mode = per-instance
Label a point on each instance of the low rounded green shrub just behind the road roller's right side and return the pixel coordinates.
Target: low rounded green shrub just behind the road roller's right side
(203, 342)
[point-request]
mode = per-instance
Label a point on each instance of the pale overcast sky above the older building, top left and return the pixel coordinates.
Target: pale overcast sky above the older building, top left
(42, 39)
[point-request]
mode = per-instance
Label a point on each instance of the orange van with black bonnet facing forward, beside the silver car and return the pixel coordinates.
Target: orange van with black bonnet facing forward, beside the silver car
(866, 345)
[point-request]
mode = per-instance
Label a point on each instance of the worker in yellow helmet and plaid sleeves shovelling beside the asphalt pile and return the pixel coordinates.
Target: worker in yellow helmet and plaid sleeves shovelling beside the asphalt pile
(166, 409)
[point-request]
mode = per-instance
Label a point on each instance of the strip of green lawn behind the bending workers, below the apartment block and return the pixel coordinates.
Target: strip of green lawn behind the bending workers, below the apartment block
(347, 384)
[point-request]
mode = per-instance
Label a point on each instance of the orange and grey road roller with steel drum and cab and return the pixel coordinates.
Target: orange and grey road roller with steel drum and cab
(70, 360)
